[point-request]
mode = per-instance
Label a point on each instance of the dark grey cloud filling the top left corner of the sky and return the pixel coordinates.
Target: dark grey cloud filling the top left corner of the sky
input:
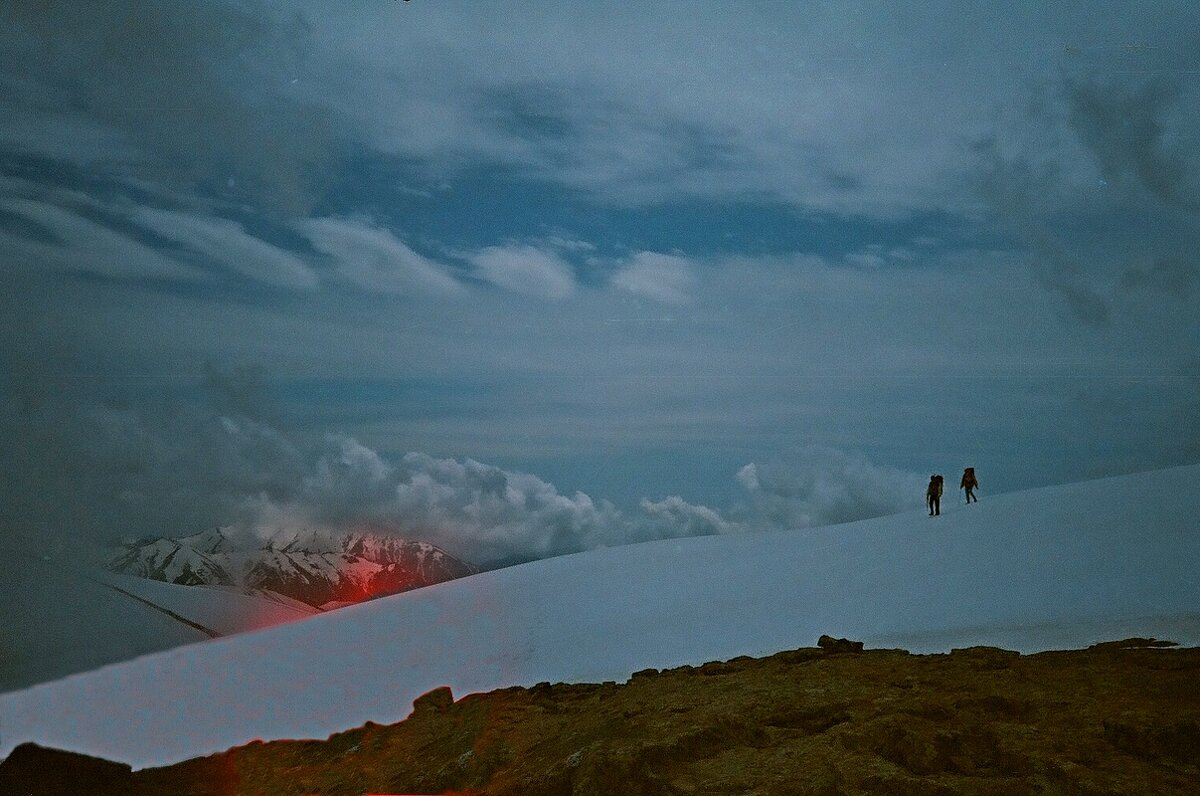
(182, 94)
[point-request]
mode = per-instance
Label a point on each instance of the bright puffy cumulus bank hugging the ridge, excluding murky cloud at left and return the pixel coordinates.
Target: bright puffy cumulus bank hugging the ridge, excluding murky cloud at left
(490, 514)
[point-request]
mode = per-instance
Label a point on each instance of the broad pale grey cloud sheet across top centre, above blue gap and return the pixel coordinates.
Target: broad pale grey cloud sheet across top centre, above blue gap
(625, 107)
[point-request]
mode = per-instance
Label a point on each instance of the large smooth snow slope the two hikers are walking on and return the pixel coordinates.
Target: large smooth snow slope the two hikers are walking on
(1058, 567)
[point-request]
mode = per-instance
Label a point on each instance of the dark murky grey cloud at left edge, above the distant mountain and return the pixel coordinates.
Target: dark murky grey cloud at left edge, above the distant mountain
(87, 472)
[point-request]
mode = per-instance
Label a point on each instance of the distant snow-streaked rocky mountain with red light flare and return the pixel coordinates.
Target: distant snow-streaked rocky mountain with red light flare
(321, 570)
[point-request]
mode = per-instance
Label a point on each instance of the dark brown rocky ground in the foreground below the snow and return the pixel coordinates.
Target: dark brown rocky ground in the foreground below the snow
(1117, 719)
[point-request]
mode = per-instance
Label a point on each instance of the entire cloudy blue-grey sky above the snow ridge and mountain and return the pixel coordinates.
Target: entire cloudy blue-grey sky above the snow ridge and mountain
(526, 279)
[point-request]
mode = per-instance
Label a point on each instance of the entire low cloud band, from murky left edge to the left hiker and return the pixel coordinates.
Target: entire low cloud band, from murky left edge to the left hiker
(91, 474)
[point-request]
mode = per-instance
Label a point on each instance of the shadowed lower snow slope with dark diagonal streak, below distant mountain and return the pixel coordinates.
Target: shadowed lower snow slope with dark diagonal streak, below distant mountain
(57, 620)
